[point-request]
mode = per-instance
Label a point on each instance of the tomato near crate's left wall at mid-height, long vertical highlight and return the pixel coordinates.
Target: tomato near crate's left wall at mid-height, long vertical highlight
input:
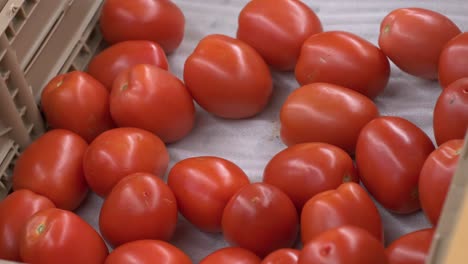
(52, 166)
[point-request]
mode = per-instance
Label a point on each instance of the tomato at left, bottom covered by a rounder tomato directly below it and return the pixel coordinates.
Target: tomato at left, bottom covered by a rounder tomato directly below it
(119, 152)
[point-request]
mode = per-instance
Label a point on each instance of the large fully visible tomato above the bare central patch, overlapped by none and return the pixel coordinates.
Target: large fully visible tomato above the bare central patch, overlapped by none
(227, 77)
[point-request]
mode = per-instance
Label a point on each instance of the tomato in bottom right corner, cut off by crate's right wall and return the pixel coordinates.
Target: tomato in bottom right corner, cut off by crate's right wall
(412, 248)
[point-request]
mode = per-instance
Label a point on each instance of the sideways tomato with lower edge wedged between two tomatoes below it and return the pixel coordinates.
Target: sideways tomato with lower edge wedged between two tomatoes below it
(306, 169)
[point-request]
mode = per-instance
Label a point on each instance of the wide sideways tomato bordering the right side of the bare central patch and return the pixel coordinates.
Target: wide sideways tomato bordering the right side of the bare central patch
(322, 112)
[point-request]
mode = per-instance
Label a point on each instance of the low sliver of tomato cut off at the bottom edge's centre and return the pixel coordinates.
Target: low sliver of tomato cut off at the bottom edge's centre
(231, 255)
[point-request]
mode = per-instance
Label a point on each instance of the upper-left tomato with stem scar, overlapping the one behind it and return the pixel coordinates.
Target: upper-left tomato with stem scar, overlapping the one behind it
(145, 89)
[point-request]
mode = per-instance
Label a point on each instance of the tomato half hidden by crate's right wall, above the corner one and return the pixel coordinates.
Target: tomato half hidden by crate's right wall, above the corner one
(436, 176)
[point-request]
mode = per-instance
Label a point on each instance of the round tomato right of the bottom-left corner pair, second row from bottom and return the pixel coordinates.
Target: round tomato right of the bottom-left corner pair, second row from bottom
(143, 200)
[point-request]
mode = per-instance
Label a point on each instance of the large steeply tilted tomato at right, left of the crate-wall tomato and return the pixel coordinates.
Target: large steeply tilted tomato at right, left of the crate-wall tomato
(390, 153)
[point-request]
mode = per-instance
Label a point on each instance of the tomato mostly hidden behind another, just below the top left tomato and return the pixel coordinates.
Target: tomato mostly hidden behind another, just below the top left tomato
(106, 65)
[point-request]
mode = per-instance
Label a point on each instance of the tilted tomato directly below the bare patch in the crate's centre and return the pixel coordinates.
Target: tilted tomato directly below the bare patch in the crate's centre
(203, 187)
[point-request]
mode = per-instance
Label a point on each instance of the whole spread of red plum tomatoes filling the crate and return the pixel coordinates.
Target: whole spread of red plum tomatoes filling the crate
(110, 126)
